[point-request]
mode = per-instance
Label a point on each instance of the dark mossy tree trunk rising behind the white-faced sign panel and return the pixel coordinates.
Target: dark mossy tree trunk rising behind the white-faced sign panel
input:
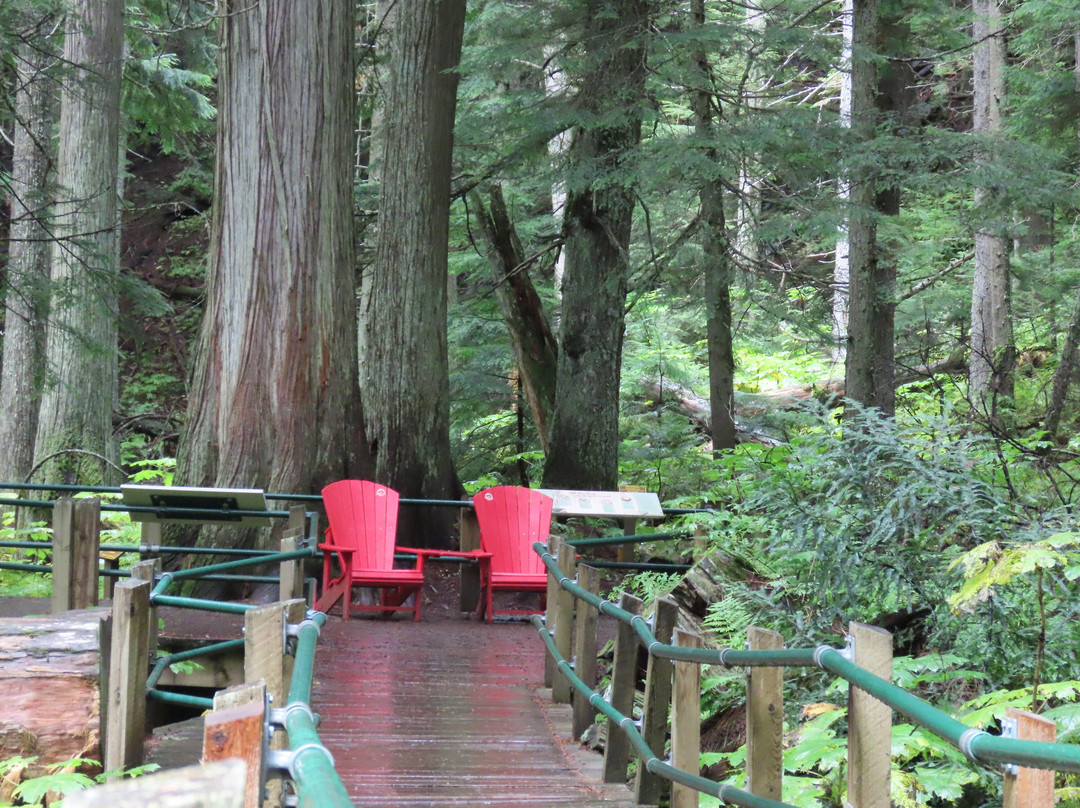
(585, 430)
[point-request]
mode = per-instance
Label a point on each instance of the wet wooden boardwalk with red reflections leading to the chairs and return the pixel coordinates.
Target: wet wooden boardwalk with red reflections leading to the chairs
(450, 713)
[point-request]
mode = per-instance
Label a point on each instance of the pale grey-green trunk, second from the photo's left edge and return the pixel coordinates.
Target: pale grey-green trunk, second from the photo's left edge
(75, 425)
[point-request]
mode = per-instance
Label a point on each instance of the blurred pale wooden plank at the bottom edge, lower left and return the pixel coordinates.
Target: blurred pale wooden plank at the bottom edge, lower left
(214, 786)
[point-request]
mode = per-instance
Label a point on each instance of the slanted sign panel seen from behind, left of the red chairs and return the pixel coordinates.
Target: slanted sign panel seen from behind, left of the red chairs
(212, 506)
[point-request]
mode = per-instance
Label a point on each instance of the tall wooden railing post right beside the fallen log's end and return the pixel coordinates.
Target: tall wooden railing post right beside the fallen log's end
(128, 674)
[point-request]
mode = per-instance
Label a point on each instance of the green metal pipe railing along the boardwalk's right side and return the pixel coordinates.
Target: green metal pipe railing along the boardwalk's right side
(976, 745)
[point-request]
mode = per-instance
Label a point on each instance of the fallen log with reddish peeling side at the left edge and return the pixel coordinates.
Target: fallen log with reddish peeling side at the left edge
(49, 678)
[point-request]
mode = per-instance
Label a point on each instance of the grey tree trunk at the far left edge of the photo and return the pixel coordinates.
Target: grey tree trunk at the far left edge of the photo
(28, 298)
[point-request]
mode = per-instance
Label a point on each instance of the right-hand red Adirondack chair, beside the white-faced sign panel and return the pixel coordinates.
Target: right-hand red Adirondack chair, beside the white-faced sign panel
(511, 519)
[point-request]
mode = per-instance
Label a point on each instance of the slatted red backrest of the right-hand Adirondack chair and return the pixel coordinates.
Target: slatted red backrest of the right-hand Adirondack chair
(511, 519)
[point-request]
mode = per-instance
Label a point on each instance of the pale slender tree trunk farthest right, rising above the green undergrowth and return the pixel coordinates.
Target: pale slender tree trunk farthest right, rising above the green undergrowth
(993, 352)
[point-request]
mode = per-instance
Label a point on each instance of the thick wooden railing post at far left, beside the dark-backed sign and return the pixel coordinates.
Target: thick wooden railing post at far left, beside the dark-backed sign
(77, 527)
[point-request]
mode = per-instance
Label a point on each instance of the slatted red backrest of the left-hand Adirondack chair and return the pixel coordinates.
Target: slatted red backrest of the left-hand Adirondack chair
(363, 515)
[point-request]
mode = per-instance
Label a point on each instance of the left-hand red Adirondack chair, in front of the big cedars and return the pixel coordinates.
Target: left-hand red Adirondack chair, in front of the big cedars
(363, 526)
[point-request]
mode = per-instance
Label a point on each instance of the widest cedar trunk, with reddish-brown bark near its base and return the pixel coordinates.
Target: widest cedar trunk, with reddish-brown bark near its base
(275, 400)
